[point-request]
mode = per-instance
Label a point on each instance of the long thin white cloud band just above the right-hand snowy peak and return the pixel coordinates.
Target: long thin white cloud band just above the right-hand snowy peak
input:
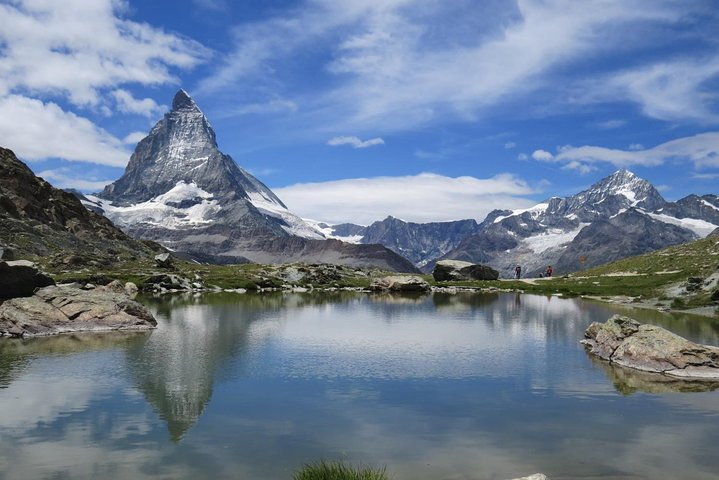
(701, 150)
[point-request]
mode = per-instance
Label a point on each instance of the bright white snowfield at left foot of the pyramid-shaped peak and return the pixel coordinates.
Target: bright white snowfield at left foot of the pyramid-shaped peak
(165, 210)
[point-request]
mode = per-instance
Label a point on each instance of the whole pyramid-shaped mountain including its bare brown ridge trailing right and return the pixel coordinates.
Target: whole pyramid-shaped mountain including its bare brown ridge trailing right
(180, 190)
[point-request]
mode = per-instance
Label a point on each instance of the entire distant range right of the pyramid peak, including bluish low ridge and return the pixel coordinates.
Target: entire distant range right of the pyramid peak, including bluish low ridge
(619, 216)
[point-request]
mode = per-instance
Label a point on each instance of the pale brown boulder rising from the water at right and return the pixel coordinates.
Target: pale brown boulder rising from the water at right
(626, 342)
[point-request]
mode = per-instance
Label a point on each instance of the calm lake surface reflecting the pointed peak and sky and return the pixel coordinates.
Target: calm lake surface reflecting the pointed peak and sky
(435, 387)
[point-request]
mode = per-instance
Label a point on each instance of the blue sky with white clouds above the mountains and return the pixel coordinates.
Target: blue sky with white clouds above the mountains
(352, 110)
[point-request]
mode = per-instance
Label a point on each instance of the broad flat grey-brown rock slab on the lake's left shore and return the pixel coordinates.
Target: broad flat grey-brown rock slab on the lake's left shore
(63, 309)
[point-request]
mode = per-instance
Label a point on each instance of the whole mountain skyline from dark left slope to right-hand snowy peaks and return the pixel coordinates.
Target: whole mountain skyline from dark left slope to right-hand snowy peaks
(181, 191)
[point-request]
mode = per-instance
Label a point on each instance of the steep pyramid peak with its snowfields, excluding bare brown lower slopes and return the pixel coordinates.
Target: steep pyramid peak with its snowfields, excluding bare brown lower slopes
(180, 156)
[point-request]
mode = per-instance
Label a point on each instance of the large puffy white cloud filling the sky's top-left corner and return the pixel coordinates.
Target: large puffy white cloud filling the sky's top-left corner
(77, 49)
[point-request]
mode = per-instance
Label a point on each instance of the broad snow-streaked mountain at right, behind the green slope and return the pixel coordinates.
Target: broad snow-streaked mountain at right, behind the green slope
(625, 211)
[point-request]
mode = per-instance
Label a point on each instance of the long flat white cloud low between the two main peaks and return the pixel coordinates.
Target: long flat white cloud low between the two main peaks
(425, 197)
